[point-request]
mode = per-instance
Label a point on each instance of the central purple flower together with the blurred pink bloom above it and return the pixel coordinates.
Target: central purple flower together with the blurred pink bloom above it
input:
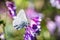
(34, 28)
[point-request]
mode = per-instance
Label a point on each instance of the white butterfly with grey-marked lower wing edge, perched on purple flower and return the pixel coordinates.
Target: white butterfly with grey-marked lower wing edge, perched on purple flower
(20, 21)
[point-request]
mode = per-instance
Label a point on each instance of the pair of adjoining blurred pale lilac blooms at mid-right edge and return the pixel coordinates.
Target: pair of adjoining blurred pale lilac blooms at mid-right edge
(52, 25)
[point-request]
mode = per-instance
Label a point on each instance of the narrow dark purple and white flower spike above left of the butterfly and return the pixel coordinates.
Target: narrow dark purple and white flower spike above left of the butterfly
(12, 8)
